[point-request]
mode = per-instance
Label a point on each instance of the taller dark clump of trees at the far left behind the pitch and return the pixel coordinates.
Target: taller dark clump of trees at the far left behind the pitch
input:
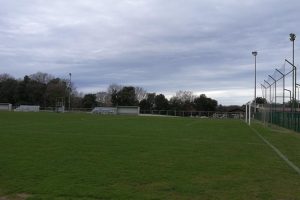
(36, 89)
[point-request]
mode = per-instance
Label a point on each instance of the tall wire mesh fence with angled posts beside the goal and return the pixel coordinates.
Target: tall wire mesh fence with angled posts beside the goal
(280, 92)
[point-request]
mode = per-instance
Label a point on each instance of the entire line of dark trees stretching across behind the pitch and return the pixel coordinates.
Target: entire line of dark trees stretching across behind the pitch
(43, 89)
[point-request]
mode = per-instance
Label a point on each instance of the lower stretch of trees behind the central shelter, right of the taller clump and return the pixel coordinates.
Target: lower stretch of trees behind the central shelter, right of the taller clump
(117, 95)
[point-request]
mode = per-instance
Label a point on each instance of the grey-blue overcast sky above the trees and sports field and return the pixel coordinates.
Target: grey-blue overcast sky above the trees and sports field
(164, 46)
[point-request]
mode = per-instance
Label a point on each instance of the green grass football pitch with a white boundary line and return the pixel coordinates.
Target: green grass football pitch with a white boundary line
(84, 156)
